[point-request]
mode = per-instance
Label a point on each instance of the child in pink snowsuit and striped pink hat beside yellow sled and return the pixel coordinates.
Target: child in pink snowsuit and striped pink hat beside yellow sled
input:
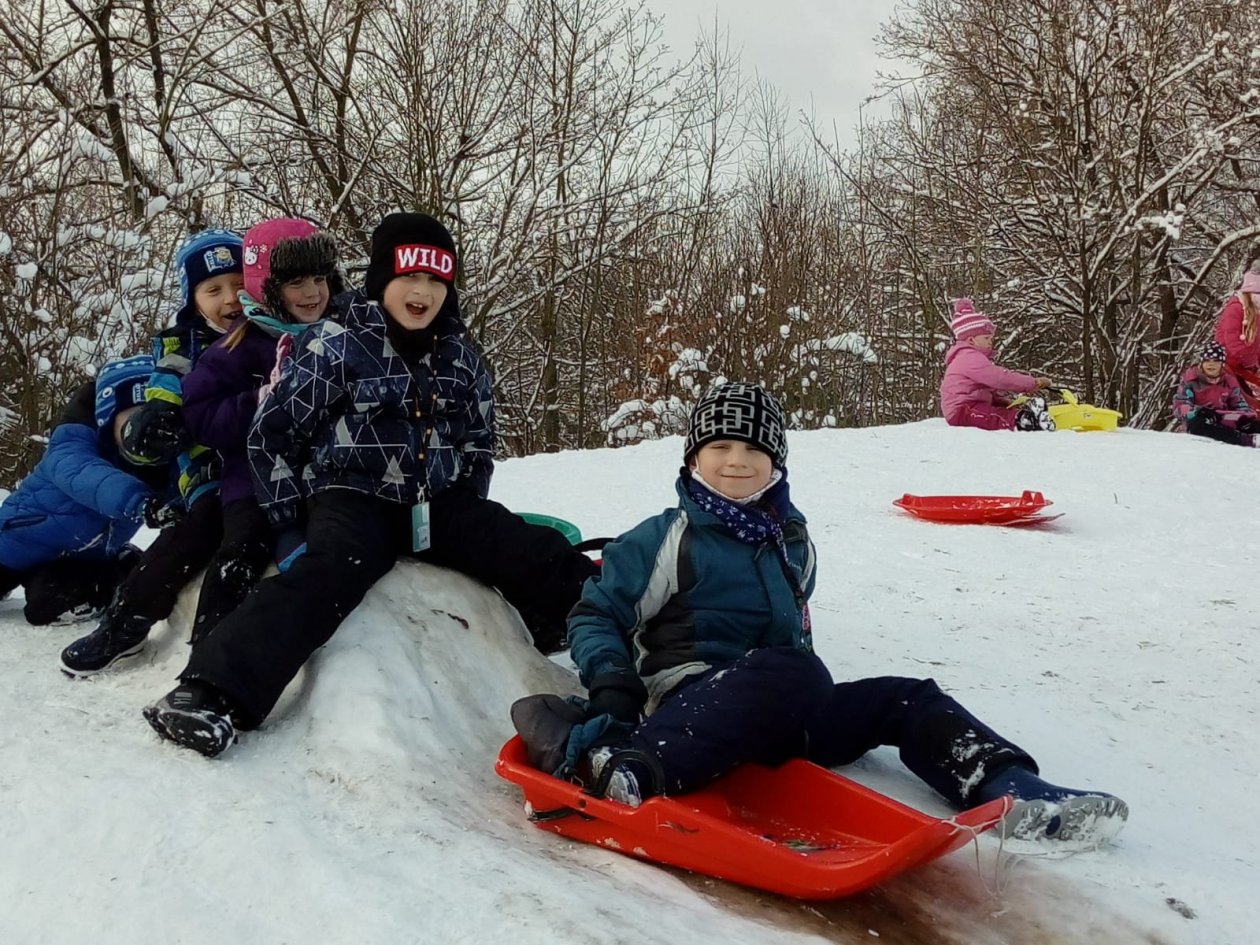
(976, 392)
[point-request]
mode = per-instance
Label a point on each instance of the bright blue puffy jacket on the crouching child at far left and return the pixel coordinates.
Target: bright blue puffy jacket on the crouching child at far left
(77, 501)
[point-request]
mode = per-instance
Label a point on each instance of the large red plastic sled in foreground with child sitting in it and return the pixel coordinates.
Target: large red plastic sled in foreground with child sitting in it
(799, 830)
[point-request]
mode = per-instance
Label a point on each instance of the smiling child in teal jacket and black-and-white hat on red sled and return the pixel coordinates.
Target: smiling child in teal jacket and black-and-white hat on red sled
(700, 622)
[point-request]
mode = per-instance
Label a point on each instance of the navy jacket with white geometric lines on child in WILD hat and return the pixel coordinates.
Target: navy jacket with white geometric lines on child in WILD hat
(350, 413)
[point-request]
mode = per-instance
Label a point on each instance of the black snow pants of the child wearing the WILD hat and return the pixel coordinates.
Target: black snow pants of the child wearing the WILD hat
(352, 542)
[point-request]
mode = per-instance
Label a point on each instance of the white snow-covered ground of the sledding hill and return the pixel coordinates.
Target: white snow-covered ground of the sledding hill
(1118, 646)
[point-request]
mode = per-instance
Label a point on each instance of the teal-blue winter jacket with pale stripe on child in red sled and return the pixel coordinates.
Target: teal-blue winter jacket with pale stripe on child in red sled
(684, 595)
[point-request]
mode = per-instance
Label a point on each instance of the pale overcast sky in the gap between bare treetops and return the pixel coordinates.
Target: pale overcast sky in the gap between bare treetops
(821, 49)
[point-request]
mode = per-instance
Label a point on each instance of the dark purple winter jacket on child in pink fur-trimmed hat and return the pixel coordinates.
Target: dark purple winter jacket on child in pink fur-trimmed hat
(221, 396)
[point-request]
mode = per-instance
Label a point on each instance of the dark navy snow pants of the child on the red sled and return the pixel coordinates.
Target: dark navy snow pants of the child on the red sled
(779, 704)
